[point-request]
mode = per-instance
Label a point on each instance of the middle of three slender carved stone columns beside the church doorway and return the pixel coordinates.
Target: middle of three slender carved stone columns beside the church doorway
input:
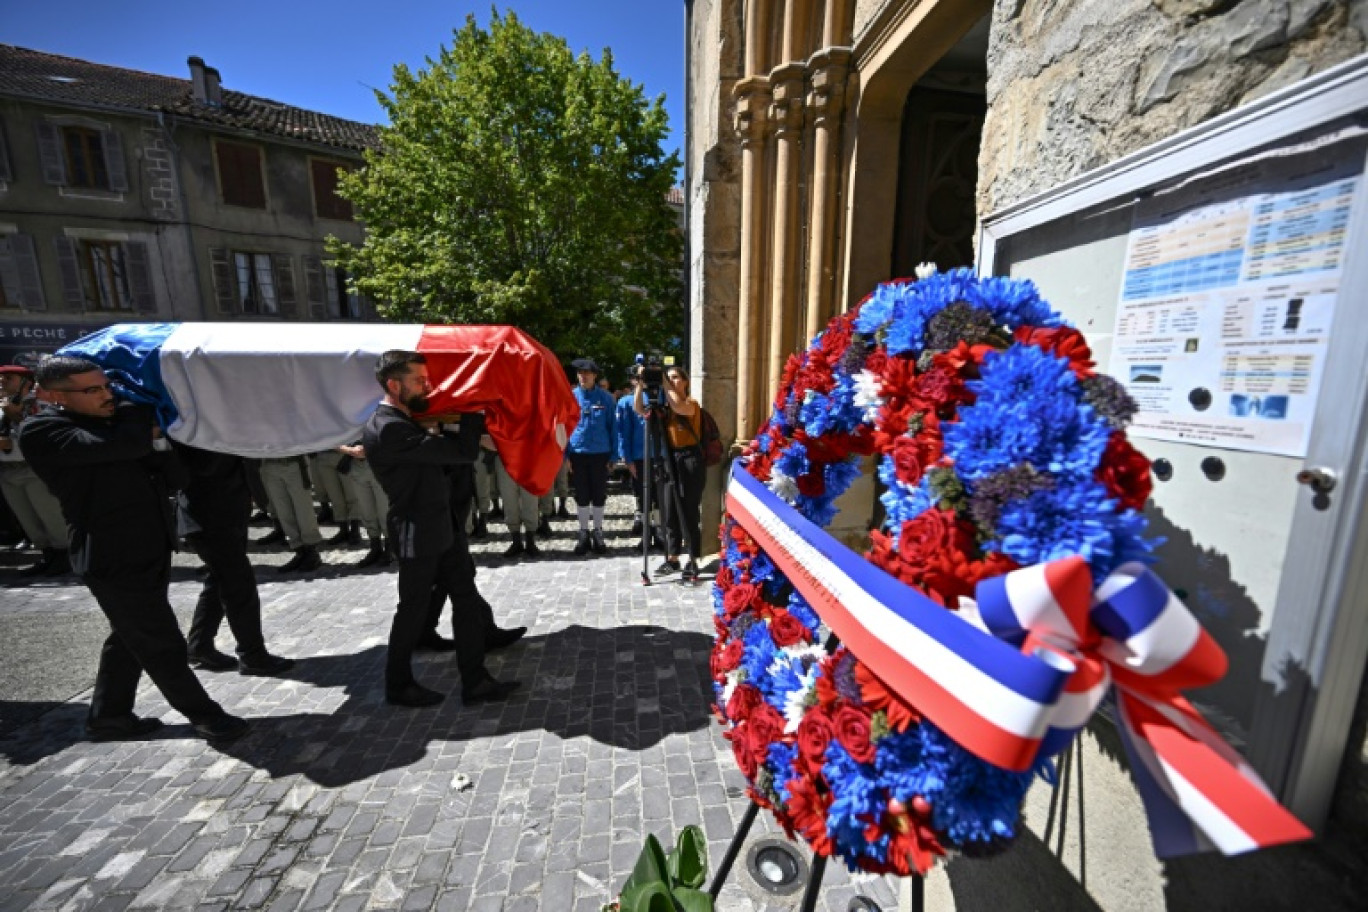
(787, 121)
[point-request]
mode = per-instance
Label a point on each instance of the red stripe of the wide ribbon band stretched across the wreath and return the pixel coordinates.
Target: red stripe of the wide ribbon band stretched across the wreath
(957, 719)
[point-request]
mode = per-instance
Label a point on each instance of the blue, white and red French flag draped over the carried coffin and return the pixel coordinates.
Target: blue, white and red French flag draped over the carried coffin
(274, 390)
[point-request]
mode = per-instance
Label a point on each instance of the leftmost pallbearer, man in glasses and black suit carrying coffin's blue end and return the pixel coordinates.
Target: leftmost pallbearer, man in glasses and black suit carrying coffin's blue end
(111, 471)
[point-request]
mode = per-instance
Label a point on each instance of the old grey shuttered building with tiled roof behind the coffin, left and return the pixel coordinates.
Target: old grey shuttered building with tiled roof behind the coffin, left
(132, 196)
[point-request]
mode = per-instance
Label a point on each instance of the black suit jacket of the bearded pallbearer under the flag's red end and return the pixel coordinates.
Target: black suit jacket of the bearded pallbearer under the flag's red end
(411, 466)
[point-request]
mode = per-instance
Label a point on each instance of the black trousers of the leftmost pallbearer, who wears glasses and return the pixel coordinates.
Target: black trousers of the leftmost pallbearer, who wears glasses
(146, 638)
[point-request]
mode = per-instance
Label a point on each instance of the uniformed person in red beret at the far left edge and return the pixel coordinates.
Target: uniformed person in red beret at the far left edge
(29, 498)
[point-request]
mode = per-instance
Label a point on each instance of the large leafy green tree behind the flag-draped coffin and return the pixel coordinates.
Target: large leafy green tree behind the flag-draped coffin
(521, 184)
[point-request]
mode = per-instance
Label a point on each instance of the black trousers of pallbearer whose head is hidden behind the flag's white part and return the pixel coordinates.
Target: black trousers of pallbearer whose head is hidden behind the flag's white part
(229, 591)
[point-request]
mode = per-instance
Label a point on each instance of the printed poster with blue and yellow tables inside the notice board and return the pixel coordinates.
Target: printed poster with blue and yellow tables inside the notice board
(1228, 300)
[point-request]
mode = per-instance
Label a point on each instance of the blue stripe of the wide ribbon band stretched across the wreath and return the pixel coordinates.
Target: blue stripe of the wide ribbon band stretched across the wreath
(1024, 675)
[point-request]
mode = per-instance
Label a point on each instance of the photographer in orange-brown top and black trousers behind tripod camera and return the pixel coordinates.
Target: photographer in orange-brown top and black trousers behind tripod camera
(682, 426)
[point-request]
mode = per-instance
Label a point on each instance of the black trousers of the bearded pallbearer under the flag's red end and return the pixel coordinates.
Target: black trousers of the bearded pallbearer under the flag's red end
(418, 579)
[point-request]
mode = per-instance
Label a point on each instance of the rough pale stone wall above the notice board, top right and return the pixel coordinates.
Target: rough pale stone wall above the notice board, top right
(1076, 84)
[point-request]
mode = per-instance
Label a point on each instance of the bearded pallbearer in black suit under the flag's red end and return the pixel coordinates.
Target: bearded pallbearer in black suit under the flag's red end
(411, 461)
